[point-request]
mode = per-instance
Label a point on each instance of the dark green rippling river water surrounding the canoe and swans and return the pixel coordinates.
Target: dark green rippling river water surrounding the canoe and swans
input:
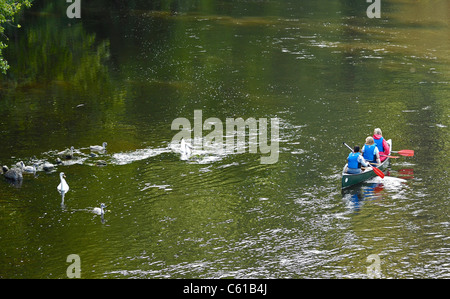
(123, 72)
